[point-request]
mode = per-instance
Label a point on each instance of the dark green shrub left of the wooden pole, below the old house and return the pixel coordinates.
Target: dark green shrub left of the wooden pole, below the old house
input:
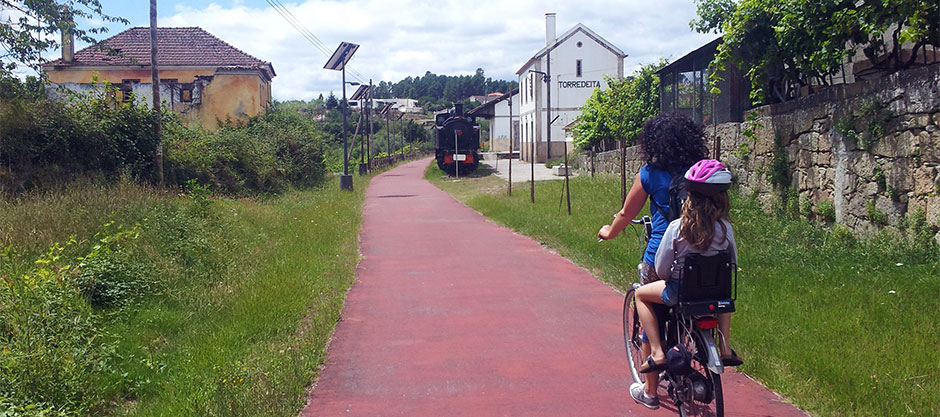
(47, 140)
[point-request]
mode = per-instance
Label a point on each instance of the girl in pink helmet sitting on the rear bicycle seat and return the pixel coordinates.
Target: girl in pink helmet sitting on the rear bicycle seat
(704, 228)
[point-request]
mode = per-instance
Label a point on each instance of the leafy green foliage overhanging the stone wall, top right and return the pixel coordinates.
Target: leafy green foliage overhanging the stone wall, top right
(782, 44)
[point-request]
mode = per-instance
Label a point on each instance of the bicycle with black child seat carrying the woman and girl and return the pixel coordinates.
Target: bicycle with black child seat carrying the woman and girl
(704, 292)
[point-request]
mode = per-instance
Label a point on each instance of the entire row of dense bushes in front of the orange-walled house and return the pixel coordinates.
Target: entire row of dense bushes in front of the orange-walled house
(45, 141)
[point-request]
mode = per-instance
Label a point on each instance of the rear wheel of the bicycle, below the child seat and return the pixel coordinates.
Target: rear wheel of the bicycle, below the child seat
(702, 388)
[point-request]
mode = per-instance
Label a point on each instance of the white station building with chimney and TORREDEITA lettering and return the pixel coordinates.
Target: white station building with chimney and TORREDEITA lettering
(574, 63)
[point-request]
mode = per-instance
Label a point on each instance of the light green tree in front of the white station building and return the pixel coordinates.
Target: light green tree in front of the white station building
(619, 112)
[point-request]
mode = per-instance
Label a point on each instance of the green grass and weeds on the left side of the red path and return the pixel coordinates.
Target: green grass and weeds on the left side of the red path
(228, 303)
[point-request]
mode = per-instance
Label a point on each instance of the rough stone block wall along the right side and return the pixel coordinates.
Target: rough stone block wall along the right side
(809, 151)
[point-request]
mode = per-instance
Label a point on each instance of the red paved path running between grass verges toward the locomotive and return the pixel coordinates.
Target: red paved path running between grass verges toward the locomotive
(453, 315)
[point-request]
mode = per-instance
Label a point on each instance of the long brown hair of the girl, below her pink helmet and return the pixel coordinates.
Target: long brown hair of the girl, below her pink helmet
(699, 215)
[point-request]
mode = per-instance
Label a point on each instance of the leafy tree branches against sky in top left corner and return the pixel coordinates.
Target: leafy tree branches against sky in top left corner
(33, 27)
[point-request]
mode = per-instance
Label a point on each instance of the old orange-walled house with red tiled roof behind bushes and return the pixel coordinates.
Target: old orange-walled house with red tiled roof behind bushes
(202, 78)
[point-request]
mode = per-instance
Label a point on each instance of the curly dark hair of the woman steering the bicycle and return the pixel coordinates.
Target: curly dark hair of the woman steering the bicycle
(672, 140)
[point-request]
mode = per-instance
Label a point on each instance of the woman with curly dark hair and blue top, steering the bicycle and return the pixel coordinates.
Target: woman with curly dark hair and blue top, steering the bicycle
(670, 144)
